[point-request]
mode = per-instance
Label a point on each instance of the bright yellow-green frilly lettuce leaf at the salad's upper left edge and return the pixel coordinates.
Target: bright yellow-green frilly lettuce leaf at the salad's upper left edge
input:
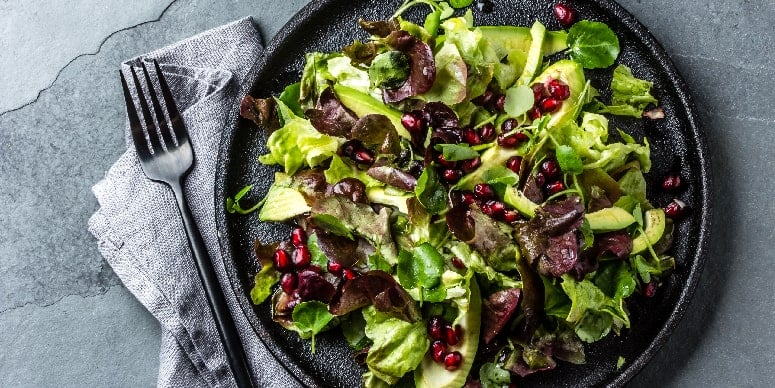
(297, 144)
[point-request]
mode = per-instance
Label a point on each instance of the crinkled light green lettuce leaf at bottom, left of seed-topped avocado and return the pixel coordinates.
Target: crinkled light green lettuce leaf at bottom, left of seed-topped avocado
(398, 346)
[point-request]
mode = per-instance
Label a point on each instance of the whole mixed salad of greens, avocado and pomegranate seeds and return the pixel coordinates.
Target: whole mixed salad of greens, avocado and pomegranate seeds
(462, 212)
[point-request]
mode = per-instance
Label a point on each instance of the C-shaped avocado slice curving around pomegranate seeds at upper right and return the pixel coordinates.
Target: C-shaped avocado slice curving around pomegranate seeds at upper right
(572, 74)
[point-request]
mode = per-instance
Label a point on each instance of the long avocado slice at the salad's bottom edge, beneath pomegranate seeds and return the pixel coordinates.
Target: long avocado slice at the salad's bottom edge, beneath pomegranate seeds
(433, 374)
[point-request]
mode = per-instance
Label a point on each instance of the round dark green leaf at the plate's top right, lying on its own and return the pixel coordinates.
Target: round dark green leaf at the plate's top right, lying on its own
(593, 44)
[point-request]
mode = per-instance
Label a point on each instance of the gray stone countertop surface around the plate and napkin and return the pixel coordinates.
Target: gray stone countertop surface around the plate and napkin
(66, 319)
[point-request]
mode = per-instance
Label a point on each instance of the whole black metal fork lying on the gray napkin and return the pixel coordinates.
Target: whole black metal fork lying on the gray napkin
(166, 156)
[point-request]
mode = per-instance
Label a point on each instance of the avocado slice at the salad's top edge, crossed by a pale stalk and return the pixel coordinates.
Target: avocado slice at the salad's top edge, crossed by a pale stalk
(505, 39)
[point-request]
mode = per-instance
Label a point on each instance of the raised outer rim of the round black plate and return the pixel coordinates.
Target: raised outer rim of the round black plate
(695, 131)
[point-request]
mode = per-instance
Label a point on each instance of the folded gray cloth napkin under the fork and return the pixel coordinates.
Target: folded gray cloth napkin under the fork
(139, 229)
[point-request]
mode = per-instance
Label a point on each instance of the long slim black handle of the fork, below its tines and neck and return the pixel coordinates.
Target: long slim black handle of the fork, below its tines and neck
(215, 298)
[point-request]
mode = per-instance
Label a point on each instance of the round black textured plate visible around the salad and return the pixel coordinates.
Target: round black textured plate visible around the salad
(677, 142)
